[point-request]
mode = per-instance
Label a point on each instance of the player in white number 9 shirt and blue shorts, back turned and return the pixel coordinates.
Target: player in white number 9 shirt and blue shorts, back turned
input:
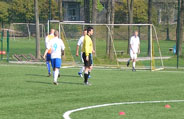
(57, 48)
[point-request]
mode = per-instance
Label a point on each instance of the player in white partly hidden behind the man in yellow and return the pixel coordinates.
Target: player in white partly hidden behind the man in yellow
(80, 44)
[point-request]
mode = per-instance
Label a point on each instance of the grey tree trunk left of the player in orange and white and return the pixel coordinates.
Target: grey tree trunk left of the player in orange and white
(37, 29)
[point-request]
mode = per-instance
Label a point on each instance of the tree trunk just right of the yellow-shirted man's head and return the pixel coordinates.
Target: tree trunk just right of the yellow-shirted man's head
(94, 16)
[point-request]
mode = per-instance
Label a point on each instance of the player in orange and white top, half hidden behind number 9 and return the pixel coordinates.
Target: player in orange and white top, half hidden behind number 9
(48, 57)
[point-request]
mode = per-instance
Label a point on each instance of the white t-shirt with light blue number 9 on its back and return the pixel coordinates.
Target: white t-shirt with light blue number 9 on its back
(56, 46)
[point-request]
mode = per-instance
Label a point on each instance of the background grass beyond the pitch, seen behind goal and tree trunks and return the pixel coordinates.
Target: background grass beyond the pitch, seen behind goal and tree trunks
(25, 46)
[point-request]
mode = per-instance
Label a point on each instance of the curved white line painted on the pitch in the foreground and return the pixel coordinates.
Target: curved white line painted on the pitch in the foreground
(67, 114)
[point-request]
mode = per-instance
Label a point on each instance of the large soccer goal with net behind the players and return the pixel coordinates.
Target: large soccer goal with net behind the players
(111, 43)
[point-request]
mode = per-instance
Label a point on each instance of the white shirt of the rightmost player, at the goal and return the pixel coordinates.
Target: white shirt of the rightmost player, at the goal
(134, 42)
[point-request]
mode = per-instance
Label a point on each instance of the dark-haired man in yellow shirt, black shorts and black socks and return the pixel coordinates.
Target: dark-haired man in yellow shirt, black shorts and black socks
(87, 50)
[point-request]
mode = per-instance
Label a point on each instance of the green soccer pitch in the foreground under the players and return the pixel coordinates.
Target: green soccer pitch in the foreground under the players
(26, 93)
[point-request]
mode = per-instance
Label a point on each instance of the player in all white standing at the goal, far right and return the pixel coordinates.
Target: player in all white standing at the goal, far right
(134, 49)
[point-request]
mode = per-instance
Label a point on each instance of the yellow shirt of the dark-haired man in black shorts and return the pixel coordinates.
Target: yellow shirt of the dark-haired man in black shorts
(87, 45)
